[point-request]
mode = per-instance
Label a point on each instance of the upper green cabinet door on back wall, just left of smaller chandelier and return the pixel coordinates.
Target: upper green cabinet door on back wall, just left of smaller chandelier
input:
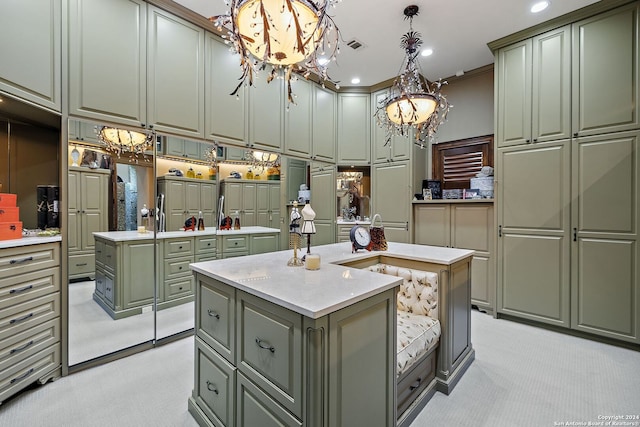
(354, 130)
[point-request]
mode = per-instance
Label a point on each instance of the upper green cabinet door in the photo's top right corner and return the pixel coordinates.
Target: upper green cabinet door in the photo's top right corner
(605, 80)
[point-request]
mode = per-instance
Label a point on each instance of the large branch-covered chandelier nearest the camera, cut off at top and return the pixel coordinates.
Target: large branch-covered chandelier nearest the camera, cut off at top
(289, 35)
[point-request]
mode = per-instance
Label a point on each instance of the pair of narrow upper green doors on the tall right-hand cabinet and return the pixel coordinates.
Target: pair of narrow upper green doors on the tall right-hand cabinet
(533, 89)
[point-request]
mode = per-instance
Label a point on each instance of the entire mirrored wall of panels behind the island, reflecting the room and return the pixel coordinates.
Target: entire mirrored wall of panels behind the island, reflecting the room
(136, 222)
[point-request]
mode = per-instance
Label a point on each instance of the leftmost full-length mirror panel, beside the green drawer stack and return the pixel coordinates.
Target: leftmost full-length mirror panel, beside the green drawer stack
(111, 237)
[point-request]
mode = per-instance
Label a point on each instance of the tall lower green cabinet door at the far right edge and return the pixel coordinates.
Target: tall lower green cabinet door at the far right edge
(605, 290)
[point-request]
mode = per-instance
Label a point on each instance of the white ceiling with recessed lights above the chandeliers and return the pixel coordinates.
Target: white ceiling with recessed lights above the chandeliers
(457, 30)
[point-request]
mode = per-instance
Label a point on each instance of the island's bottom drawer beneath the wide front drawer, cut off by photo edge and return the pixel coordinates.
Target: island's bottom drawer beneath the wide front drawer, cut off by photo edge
(254, 407)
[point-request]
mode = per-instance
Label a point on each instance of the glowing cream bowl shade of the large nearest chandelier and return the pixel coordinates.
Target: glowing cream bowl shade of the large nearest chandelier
(289, 32)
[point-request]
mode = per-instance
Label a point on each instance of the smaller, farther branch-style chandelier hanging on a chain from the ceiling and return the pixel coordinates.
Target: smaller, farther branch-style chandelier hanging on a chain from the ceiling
(412, 103)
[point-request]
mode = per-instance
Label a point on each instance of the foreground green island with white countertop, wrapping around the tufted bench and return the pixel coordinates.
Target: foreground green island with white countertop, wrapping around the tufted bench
(316, 348)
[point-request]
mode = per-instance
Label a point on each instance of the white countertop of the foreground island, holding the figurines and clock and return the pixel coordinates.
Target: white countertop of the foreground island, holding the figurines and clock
(317, 293)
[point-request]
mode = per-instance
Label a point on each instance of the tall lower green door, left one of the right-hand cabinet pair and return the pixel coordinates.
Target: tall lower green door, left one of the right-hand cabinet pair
(534, 231)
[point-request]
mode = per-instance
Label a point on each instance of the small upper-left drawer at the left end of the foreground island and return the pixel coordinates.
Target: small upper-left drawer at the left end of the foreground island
(215, 316)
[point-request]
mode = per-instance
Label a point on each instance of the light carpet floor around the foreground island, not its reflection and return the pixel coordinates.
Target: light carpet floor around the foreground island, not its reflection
(522, 376)
